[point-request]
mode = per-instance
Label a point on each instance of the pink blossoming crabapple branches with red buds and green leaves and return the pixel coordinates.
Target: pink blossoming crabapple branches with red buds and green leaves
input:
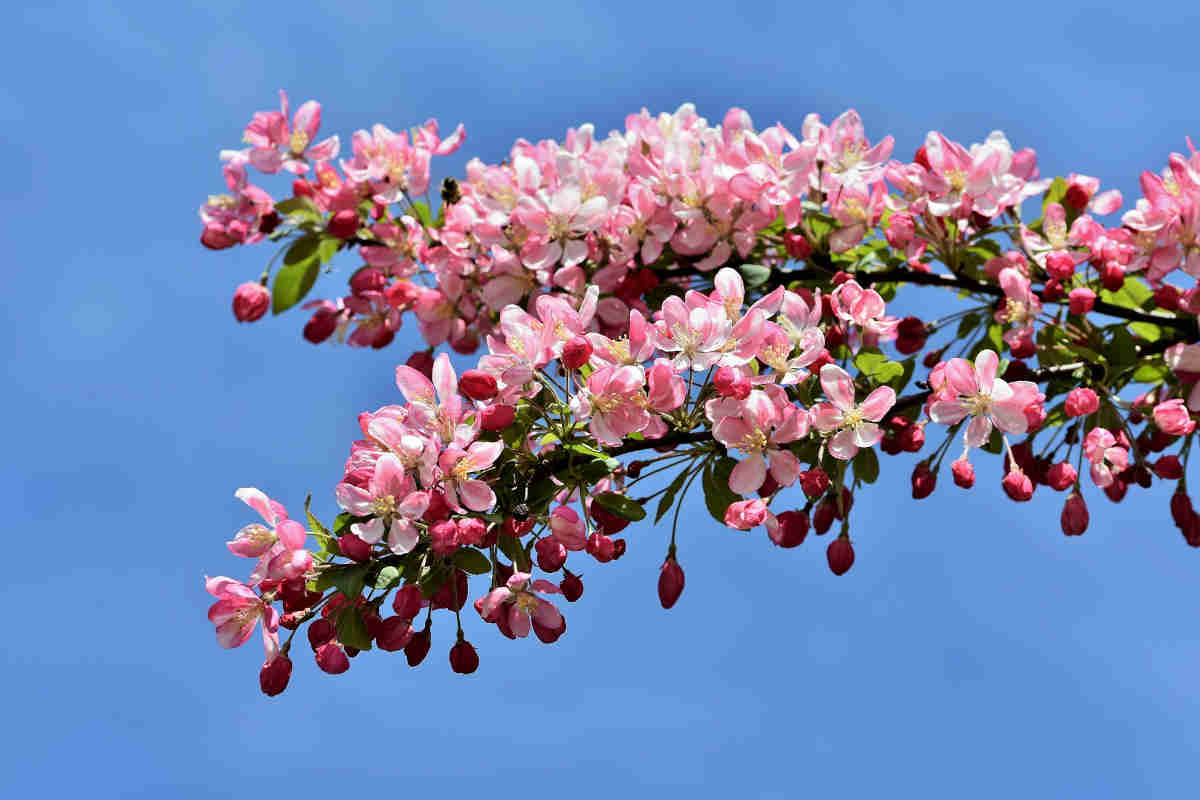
(715, 299)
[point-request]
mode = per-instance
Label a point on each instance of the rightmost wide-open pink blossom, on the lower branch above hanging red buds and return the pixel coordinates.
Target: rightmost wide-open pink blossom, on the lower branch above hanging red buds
(976, 392)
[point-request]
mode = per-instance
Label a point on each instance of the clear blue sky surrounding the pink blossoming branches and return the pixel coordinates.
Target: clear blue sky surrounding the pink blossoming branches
(973, 651)
